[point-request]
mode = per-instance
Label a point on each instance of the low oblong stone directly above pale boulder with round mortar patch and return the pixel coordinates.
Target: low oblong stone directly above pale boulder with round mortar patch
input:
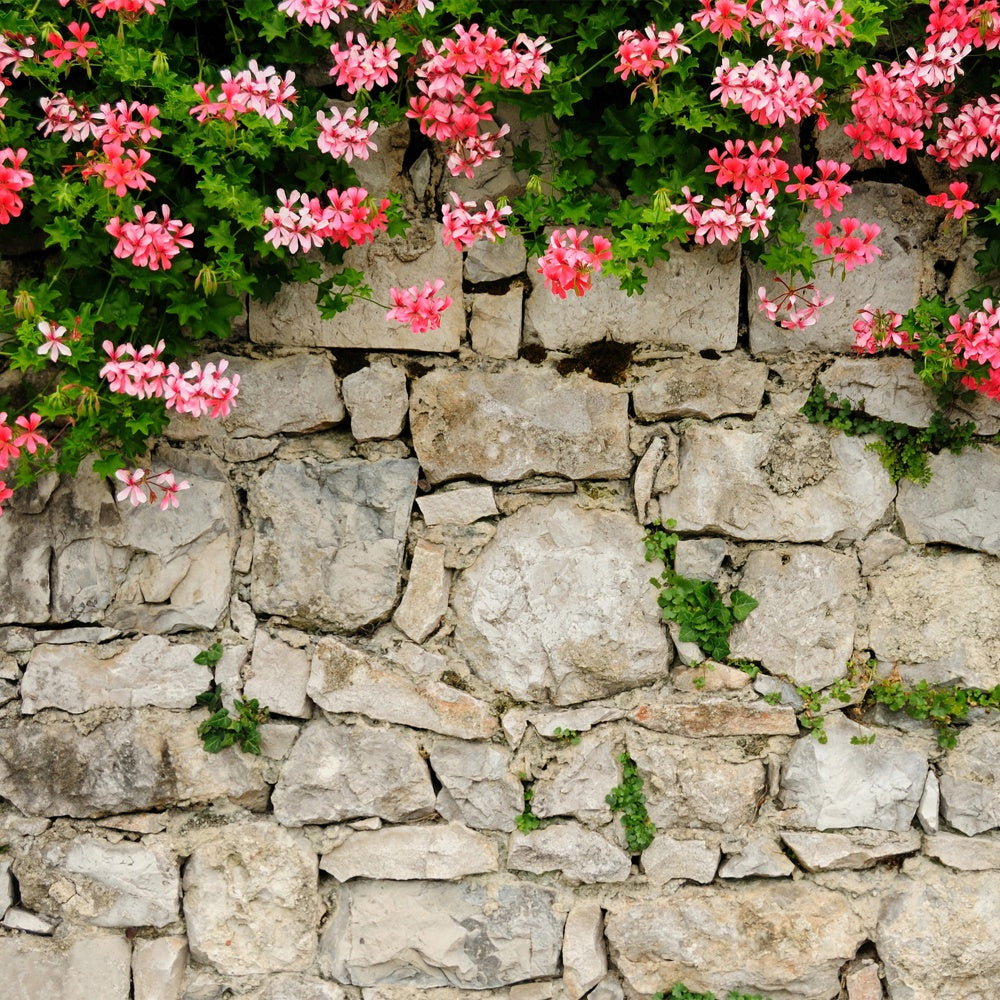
(695, 387)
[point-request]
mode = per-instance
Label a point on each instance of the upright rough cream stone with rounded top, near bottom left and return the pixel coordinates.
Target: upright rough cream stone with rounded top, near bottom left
(250, 900)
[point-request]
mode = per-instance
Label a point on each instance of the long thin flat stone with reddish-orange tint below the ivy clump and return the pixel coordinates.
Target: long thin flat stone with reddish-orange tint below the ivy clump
(716, 717)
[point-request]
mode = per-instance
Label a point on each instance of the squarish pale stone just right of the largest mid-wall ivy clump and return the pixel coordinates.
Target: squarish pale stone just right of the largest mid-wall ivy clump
(804, 625)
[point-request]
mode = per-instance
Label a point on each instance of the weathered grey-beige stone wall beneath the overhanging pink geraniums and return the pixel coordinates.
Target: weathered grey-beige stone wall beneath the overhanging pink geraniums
(425, 554)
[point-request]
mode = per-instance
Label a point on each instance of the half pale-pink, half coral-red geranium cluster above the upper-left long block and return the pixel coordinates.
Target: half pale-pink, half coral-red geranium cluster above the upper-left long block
(301, 222)
